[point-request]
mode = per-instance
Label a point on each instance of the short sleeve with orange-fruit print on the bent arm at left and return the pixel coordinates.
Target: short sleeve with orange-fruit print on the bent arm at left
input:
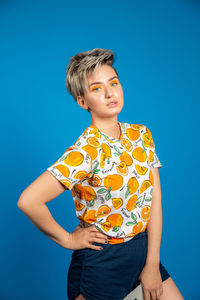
(72, 167)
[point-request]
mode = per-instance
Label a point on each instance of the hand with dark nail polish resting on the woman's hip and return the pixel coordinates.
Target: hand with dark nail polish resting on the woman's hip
(82, 238)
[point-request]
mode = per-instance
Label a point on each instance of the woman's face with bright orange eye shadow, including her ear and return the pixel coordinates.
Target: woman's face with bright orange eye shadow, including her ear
(103, 87)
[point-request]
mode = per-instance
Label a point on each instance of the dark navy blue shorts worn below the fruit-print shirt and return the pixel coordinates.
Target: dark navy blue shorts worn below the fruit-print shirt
(111, 273)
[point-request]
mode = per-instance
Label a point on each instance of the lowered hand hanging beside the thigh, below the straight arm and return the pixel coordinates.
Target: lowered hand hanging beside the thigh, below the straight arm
(151, 280)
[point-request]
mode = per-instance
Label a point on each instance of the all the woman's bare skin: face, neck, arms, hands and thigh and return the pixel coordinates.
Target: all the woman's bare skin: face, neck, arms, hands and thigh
(46, 187)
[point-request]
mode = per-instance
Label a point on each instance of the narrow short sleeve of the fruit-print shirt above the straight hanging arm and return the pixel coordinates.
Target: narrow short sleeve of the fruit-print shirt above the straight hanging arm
(153, 159)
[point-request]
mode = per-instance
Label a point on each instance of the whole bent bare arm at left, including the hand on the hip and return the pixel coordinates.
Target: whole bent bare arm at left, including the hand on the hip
(33, 203)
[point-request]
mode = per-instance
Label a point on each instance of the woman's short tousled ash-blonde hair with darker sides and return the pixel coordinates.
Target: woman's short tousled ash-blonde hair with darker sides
(81, 64)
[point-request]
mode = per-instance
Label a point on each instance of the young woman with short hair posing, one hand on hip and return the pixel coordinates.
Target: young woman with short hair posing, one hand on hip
(112, 171)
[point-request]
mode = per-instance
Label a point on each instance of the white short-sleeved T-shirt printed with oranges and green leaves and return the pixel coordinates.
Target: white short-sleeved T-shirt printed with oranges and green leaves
(111, 179)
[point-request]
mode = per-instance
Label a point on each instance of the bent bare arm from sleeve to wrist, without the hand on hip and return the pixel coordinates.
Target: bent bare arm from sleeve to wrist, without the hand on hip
(33, 203)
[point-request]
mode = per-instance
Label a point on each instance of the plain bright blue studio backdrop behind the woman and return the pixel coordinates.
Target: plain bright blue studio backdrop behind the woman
(157, 50)
